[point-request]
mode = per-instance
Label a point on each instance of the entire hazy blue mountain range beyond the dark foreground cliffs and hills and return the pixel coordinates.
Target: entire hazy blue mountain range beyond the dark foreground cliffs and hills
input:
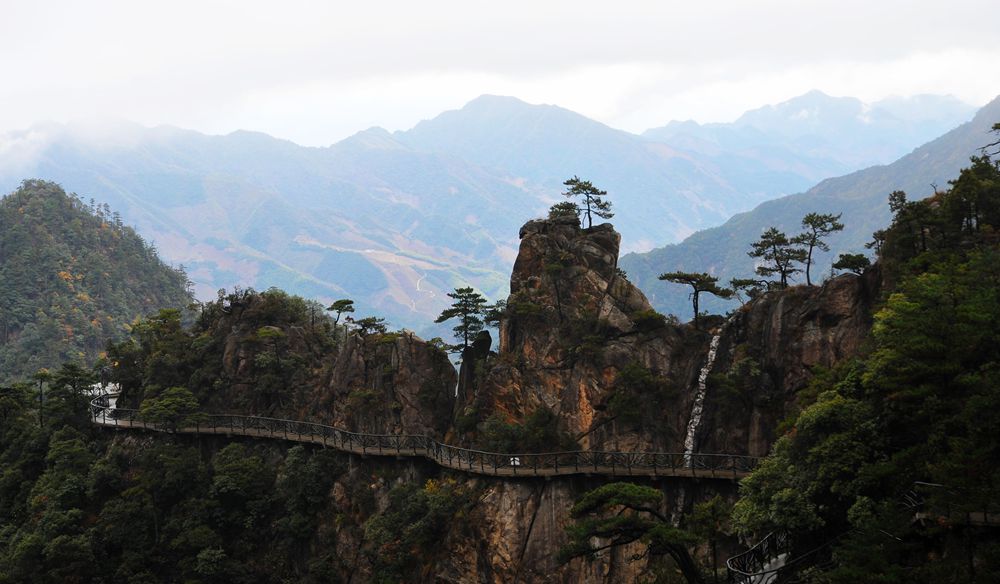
(394, 220)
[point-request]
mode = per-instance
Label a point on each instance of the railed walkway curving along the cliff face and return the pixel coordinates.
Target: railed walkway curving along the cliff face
(585, 462)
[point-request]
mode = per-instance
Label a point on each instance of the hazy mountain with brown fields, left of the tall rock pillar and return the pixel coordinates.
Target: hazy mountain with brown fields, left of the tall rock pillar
(367, 218)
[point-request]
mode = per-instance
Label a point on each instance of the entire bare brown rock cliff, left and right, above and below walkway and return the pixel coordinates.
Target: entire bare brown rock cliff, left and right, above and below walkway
(577, 338)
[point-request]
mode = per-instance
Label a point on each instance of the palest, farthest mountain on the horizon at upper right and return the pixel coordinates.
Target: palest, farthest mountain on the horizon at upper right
(819, 136)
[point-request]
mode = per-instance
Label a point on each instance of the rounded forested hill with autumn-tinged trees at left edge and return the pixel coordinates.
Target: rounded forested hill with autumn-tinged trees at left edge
(72, 277)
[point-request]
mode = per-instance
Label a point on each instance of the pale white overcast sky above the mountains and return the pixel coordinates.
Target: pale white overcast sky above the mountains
(316, 72)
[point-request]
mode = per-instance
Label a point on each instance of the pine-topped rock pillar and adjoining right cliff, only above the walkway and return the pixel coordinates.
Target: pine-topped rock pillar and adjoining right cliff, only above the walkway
(581, 340)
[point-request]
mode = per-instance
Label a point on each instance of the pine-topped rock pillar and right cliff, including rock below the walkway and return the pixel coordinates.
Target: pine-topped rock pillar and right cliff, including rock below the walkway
(575, 333)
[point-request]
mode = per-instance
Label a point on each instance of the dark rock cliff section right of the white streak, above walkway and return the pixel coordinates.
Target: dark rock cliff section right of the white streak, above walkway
(771, 349)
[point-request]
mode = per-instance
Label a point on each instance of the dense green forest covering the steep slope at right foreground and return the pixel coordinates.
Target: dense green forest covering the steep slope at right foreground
(909, 428)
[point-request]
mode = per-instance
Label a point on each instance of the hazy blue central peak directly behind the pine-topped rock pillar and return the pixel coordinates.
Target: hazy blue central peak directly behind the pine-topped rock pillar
(659, 193)
